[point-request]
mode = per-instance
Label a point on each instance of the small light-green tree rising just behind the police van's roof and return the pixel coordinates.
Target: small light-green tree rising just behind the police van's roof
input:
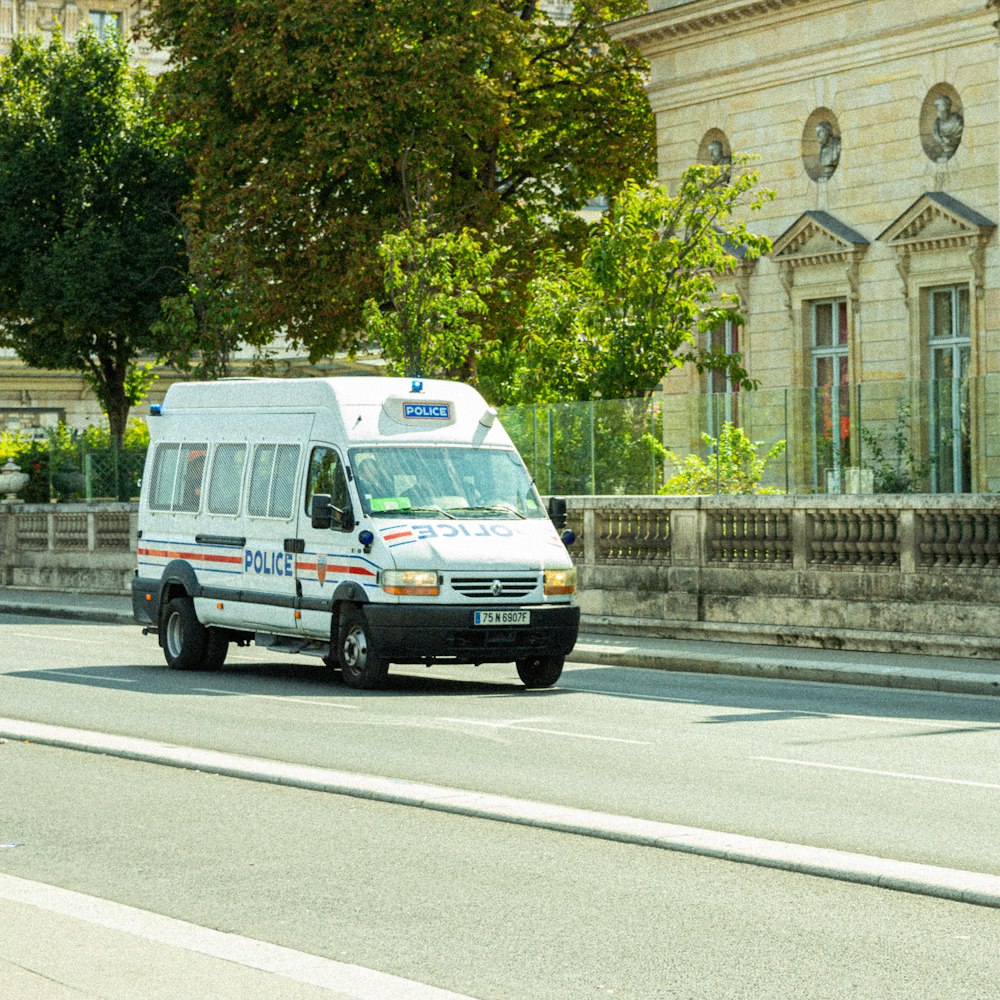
(430, 322)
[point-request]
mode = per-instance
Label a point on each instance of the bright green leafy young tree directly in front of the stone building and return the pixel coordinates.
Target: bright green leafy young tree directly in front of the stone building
(613, 325)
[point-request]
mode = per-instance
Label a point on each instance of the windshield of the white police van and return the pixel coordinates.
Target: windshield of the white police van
(449, 481)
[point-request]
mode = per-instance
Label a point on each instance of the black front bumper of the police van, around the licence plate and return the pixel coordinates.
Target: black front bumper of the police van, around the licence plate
(415, 633)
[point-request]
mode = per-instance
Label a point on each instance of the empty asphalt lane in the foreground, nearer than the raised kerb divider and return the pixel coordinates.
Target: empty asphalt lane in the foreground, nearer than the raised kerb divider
(488, 910)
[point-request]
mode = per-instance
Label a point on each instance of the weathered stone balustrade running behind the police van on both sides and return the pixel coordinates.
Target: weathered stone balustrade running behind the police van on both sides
(880, 573)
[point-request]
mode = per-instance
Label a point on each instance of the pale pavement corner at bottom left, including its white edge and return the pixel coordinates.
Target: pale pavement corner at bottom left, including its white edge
(107, 951)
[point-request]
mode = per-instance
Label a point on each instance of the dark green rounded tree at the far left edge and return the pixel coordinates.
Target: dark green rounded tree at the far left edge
(89, 236)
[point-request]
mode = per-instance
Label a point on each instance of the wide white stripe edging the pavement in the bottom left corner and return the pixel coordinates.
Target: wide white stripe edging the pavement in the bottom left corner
(345, 980)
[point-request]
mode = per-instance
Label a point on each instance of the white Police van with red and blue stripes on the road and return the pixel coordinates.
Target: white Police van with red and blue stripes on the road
(366, 520)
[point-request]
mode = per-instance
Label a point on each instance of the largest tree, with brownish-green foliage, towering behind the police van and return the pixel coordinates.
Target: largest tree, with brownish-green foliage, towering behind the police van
(310, 113)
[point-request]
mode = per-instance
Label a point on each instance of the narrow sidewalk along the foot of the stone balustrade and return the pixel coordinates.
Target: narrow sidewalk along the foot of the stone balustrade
(896, 670)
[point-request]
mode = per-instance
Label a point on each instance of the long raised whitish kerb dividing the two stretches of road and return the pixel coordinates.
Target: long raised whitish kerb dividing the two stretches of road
(979, 888)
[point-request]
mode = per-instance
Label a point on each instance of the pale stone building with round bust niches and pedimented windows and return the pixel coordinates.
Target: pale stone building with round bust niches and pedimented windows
(873, 326)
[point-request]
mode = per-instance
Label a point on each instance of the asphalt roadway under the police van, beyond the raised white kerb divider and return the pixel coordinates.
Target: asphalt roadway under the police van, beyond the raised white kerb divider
(902, 775)
